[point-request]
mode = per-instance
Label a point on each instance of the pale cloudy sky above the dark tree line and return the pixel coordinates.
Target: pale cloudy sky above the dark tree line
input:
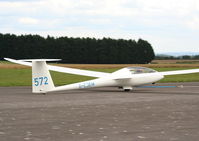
(169, 25)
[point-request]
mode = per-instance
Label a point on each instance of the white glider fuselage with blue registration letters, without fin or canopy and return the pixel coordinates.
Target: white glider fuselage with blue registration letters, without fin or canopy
(121, 78)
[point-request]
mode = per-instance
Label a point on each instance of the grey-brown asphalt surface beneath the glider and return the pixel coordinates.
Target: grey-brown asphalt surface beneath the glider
(102, 114)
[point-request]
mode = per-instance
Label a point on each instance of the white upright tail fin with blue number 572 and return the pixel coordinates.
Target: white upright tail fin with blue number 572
(41, 79)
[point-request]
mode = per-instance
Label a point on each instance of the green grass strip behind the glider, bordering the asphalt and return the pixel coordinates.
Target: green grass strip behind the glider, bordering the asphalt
(22, 77)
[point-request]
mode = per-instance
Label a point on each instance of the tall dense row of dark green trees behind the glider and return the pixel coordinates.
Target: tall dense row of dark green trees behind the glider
(76, 50)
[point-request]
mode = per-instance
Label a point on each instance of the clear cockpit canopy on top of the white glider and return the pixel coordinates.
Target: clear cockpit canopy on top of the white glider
(138, 70)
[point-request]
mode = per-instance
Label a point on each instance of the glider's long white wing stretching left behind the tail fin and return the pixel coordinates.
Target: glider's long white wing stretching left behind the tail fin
(64, 69)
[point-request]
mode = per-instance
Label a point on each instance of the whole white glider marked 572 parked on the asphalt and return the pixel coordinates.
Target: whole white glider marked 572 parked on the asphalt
(125, 78)
